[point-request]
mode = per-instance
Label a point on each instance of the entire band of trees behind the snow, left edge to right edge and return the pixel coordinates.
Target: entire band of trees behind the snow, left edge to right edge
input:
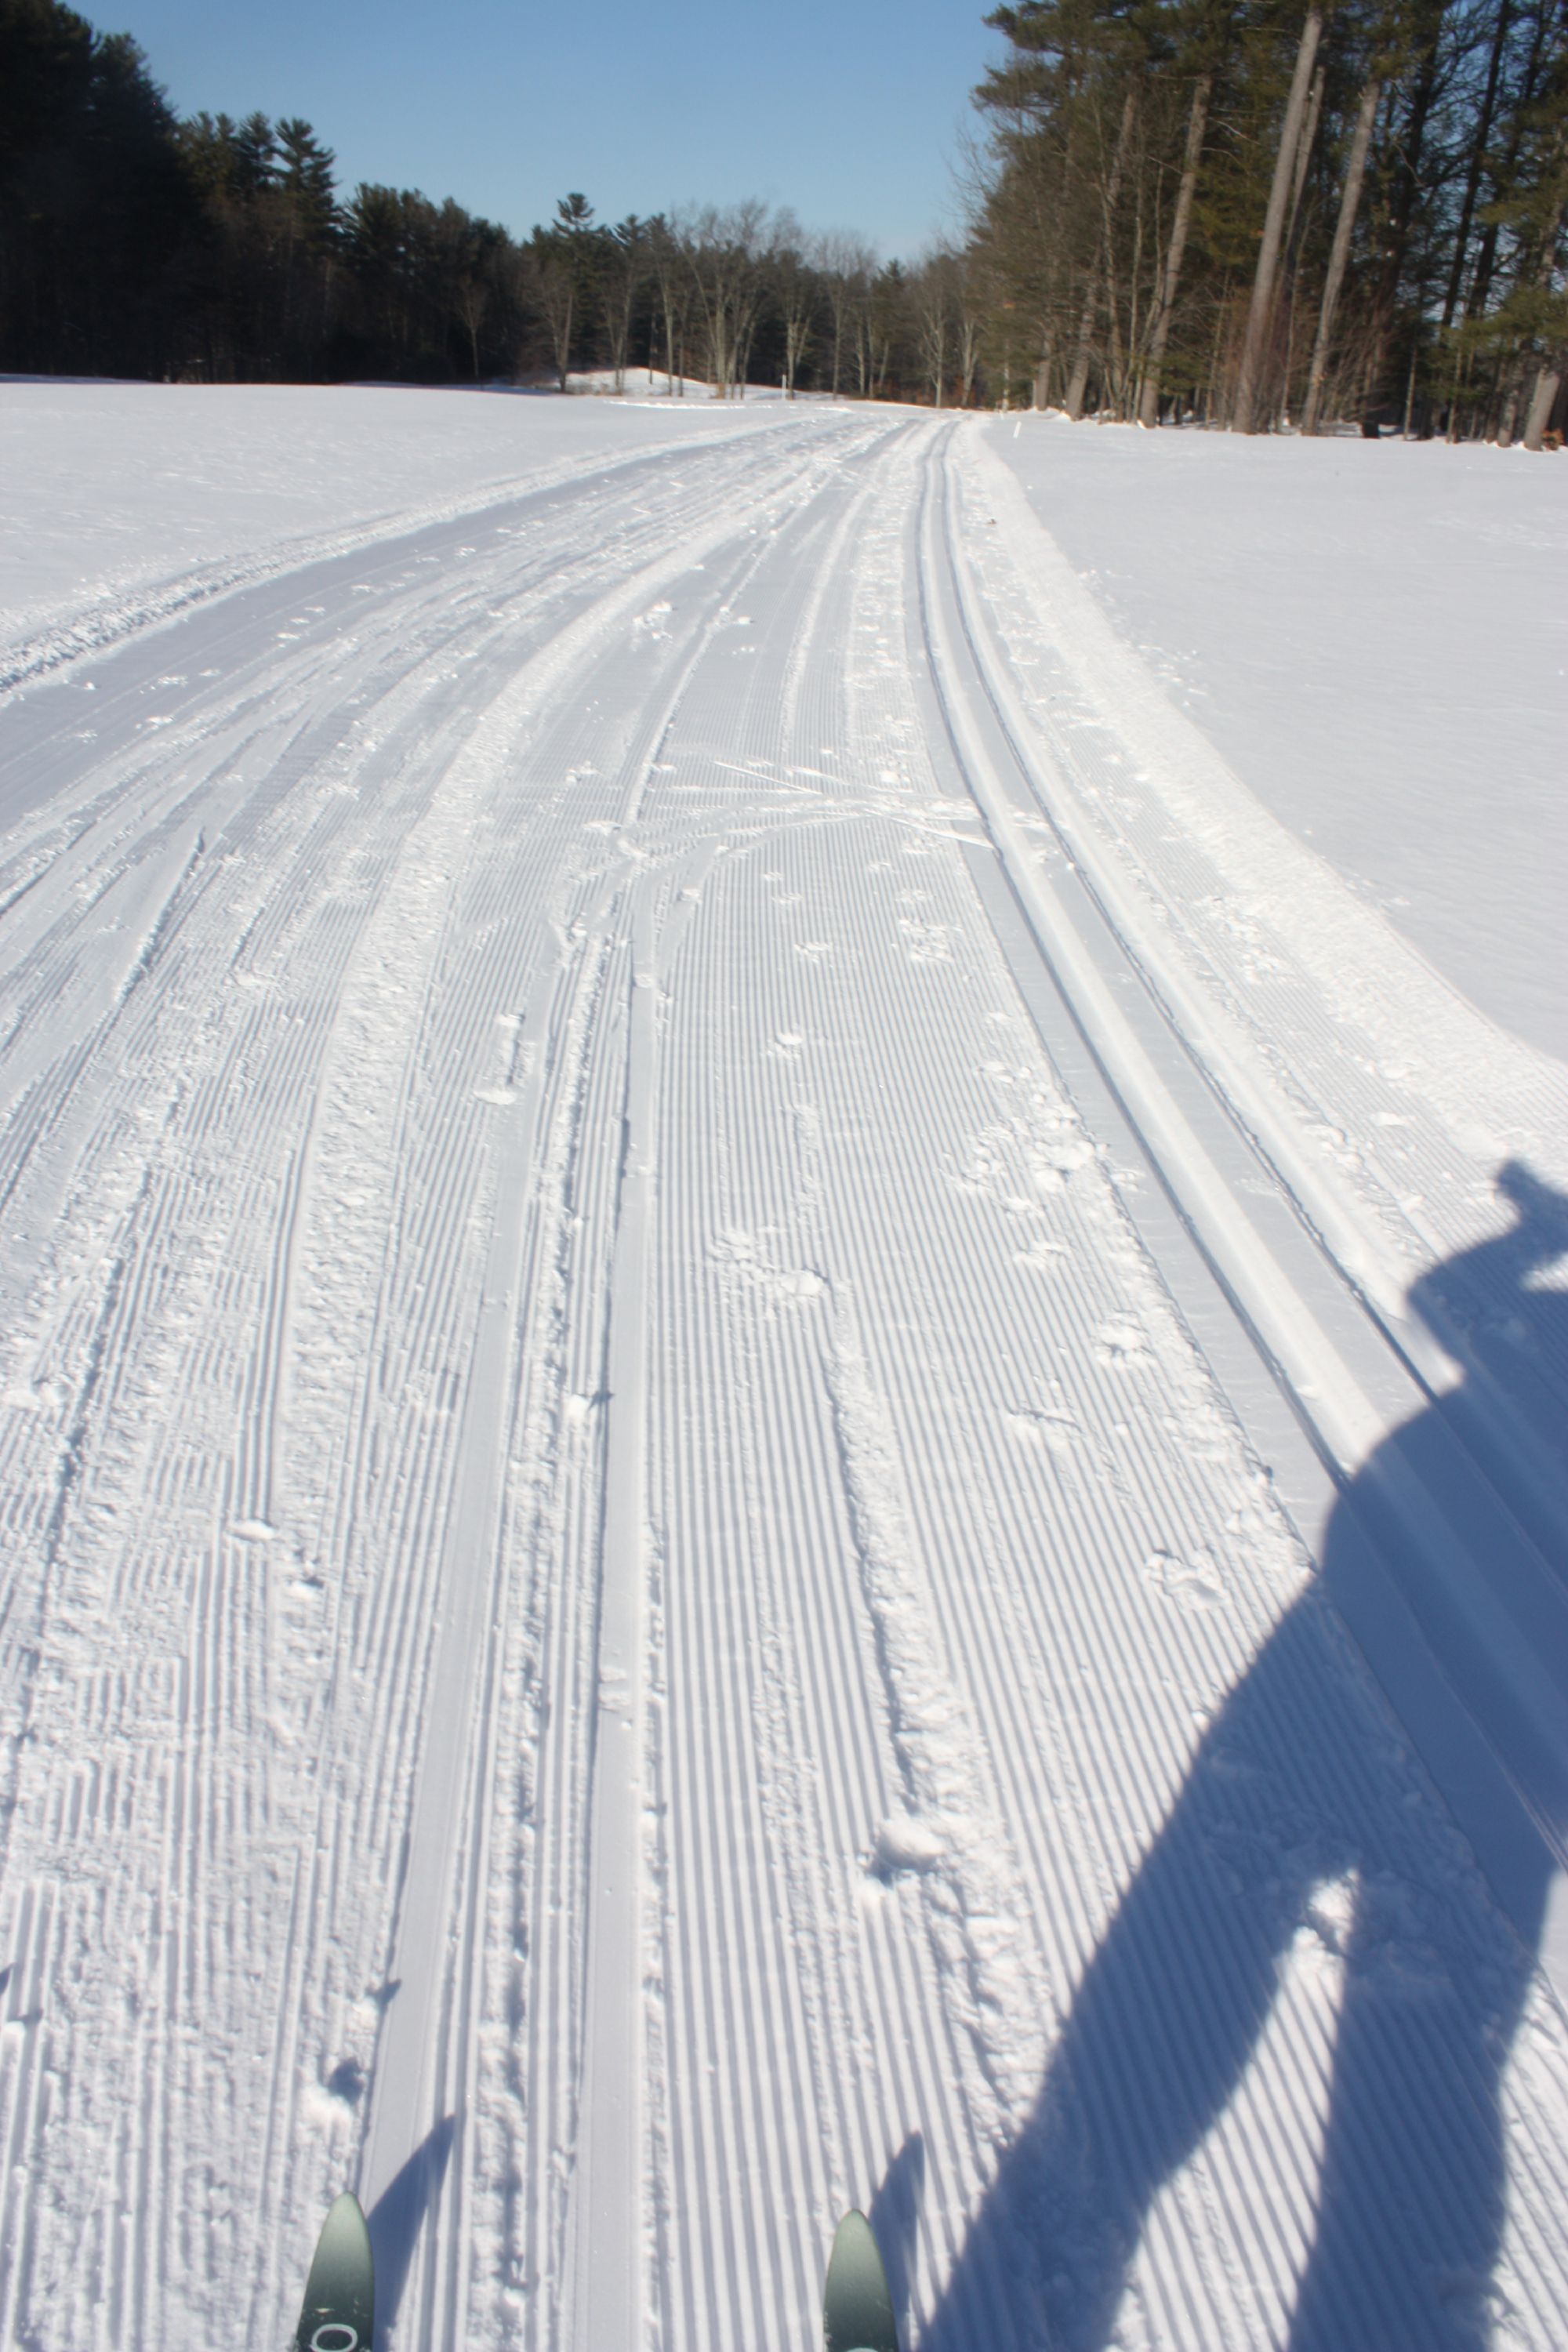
(1242, 213)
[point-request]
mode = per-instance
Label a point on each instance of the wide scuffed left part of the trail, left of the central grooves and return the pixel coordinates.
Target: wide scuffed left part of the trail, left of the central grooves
(199, 1163)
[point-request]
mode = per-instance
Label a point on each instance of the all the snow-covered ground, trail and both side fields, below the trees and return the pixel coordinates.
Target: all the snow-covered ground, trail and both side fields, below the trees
(782, 1398)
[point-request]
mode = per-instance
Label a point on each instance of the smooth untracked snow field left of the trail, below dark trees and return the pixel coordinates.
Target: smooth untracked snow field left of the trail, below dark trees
(116, 490)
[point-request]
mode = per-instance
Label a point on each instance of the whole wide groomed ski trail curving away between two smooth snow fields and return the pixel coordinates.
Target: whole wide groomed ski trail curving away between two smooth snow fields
(626, 1499)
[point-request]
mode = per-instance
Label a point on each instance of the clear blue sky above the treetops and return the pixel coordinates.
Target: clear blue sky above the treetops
(845, 109)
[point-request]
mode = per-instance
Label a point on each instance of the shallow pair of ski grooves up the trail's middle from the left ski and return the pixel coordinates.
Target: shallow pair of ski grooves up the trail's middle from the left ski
(554, 1304)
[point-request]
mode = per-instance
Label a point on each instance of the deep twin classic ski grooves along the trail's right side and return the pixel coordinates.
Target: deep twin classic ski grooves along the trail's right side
(1306, 1342)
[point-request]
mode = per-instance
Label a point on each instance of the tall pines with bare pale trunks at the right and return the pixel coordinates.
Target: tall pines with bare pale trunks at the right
(1271, 215)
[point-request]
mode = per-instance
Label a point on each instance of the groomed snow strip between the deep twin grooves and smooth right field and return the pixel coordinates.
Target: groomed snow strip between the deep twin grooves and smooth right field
(1388, 1147)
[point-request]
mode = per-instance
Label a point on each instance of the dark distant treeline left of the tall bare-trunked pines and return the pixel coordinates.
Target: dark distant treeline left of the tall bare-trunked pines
(222, 250)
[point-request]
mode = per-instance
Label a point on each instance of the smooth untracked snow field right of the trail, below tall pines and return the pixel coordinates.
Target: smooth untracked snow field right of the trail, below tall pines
(1374, 639)
